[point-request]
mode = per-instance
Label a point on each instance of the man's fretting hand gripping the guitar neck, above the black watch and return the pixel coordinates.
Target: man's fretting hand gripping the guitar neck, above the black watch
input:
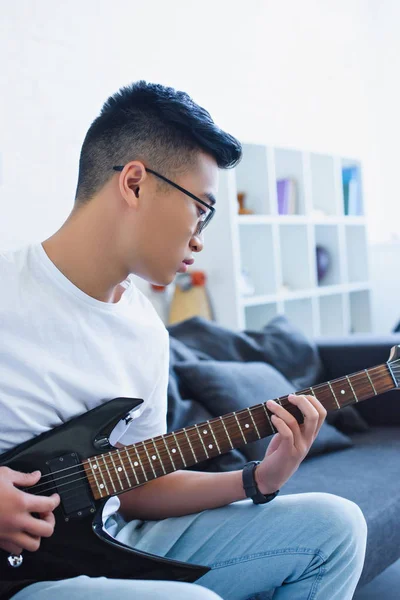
(291, 443)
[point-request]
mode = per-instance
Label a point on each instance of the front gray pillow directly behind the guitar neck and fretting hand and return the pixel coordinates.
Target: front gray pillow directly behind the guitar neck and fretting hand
(223, 387)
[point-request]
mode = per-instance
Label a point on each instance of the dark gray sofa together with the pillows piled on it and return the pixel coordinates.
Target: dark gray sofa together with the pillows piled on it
(209, 366)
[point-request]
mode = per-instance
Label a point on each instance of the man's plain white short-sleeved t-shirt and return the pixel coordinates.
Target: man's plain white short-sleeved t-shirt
(63, 352)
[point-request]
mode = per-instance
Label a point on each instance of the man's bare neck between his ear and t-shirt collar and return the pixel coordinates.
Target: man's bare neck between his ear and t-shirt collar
(82, 250)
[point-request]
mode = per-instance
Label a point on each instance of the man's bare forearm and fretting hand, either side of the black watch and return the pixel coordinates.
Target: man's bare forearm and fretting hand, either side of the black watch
(186, 492)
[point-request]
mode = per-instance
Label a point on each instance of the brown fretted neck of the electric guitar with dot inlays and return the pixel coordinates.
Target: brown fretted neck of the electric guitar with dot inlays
(120, 470)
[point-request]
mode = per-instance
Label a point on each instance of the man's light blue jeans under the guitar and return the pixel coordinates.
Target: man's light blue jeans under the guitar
(297, 547)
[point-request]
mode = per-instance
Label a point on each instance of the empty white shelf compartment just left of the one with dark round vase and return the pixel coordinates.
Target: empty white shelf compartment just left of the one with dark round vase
(295, 264)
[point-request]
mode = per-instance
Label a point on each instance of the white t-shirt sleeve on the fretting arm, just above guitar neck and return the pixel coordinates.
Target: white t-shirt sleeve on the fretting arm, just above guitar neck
(153, 419)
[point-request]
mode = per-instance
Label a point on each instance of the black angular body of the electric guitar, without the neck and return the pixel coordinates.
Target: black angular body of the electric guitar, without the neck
(79, 545)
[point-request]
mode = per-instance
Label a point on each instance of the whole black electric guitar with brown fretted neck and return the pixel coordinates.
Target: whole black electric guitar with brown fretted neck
(77, 461)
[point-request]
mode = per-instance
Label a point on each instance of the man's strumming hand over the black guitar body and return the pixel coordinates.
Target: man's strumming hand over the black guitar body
(19, 529)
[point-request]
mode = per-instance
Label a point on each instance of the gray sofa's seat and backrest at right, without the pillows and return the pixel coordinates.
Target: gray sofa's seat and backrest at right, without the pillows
(369, 472)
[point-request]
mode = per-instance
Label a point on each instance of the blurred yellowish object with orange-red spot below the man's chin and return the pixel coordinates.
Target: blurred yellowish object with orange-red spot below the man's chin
(191, 298)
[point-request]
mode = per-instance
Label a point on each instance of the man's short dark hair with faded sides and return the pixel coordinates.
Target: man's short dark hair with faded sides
(159, 125)
